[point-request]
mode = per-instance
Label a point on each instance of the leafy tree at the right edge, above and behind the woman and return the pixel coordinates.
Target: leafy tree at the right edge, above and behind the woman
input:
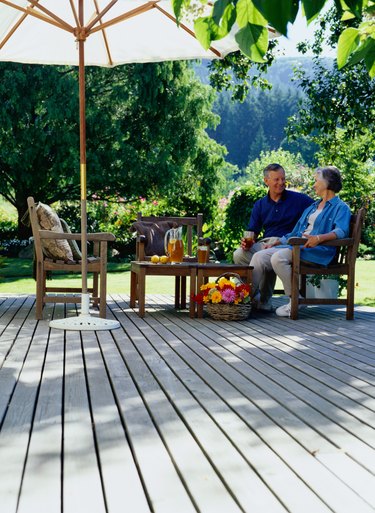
(338, 114)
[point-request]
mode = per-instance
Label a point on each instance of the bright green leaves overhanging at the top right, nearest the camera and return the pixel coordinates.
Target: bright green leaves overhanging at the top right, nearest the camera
(356, 44)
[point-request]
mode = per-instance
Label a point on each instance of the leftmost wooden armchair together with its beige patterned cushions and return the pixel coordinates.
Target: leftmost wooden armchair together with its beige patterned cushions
(57, 251)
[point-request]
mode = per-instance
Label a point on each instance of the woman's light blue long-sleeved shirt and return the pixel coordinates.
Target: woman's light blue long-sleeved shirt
(335, 217)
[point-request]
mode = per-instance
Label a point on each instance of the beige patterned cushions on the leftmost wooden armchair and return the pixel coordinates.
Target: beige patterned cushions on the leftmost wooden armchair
(49, 220)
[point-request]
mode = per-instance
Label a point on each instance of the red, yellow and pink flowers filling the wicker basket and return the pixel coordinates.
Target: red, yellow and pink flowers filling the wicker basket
(223, 291)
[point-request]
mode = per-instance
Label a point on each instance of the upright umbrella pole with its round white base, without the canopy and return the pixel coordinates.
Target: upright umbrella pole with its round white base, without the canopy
(84, 321)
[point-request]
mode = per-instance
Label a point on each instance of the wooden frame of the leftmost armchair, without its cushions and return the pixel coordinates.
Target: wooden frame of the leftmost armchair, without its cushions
(97, 264)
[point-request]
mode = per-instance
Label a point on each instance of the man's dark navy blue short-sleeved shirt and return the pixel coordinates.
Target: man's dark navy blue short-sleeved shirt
(276, 218)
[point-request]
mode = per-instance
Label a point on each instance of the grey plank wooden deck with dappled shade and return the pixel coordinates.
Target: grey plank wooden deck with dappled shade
(173, 415)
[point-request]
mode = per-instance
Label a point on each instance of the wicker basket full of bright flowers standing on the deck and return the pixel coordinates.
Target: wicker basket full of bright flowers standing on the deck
(225, 299)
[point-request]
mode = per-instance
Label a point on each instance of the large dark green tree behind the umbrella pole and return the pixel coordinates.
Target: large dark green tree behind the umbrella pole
(134, 113)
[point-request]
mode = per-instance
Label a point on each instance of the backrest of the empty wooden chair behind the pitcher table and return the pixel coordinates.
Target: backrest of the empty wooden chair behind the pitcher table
(192, 230)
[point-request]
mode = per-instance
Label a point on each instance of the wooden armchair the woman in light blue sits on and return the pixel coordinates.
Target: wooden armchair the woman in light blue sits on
(344, 264)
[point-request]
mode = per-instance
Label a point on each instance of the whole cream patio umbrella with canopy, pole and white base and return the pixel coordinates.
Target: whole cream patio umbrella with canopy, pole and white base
(101, 33)
